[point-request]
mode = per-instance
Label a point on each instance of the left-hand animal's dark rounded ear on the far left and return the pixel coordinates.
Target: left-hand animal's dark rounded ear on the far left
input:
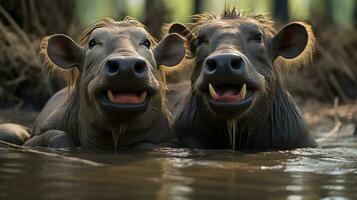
(64, 52)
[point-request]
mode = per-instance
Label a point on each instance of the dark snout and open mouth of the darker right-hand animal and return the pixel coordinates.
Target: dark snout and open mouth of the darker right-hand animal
(230, 82)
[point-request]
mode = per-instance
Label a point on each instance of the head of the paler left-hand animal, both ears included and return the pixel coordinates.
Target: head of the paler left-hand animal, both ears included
(118, 63)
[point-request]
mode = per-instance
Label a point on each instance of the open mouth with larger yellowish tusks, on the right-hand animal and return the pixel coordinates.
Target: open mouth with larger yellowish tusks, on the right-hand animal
(230, 93)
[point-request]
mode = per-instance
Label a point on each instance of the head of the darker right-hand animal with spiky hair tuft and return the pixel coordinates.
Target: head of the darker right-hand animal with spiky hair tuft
(235, 73)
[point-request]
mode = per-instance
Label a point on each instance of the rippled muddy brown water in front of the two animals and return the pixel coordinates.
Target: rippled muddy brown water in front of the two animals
(327, 172)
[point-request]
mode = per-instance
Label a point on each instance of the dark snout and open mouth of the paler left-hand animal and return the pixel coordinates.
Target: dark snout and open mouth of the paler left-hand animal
(125, 85)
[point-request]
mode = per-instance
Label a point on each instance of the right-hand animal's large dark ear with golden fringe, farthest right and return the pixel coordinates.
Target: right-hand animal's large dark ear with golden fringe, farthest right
(292, 40)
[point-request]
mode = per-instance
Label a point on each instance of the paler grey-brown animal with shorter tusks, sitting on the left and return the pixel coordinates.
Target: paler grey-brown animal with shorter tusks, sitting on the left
(116, 96)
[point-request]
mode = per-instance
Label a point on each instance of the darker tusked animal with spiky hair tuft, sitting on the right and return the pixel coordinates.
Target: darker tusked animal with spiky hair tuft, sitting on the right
(237, 98)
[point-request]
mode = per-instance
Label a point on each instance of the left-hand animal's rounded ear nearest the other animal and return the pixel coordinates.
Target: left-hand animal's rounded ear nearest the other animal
(170, 51)
